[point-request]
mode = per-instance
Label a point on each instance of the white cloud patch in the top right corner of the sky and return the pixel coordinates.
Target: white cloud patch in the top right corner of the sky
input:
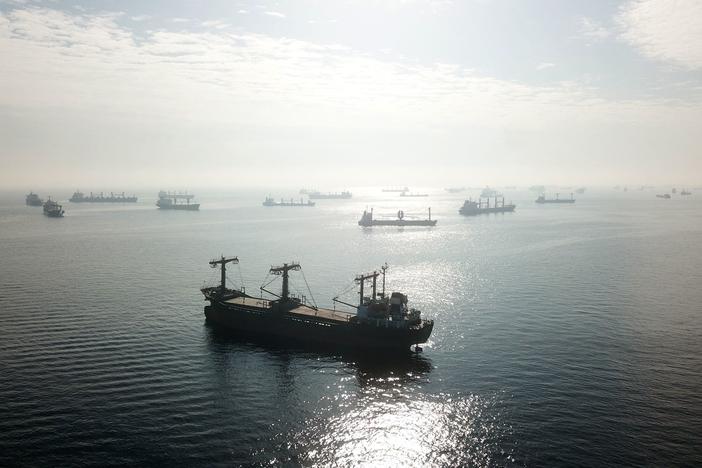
(664, 30)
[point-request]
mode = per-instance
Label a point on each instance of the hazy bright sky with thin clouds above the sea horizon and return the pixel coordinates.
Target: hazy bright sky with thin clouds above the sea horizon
(111, 95)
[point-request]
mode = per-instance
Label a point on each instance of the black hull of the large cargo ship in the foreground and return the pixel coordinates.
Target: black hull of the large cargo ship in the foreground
(307, 330)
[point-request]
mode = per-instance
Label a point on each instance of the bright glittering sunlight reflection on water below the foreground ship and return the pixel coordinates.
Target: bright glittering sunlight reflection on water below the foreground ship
(385, 427)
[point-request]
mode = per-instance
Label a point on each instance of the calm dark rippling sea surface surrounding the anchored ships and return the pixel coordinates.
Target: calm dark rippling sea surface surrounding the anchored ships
(564, 336)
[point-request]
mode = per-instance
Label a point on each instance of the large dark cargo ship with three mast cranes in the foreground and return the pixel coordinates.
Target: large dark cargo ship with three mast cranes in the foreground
(377, 322)
